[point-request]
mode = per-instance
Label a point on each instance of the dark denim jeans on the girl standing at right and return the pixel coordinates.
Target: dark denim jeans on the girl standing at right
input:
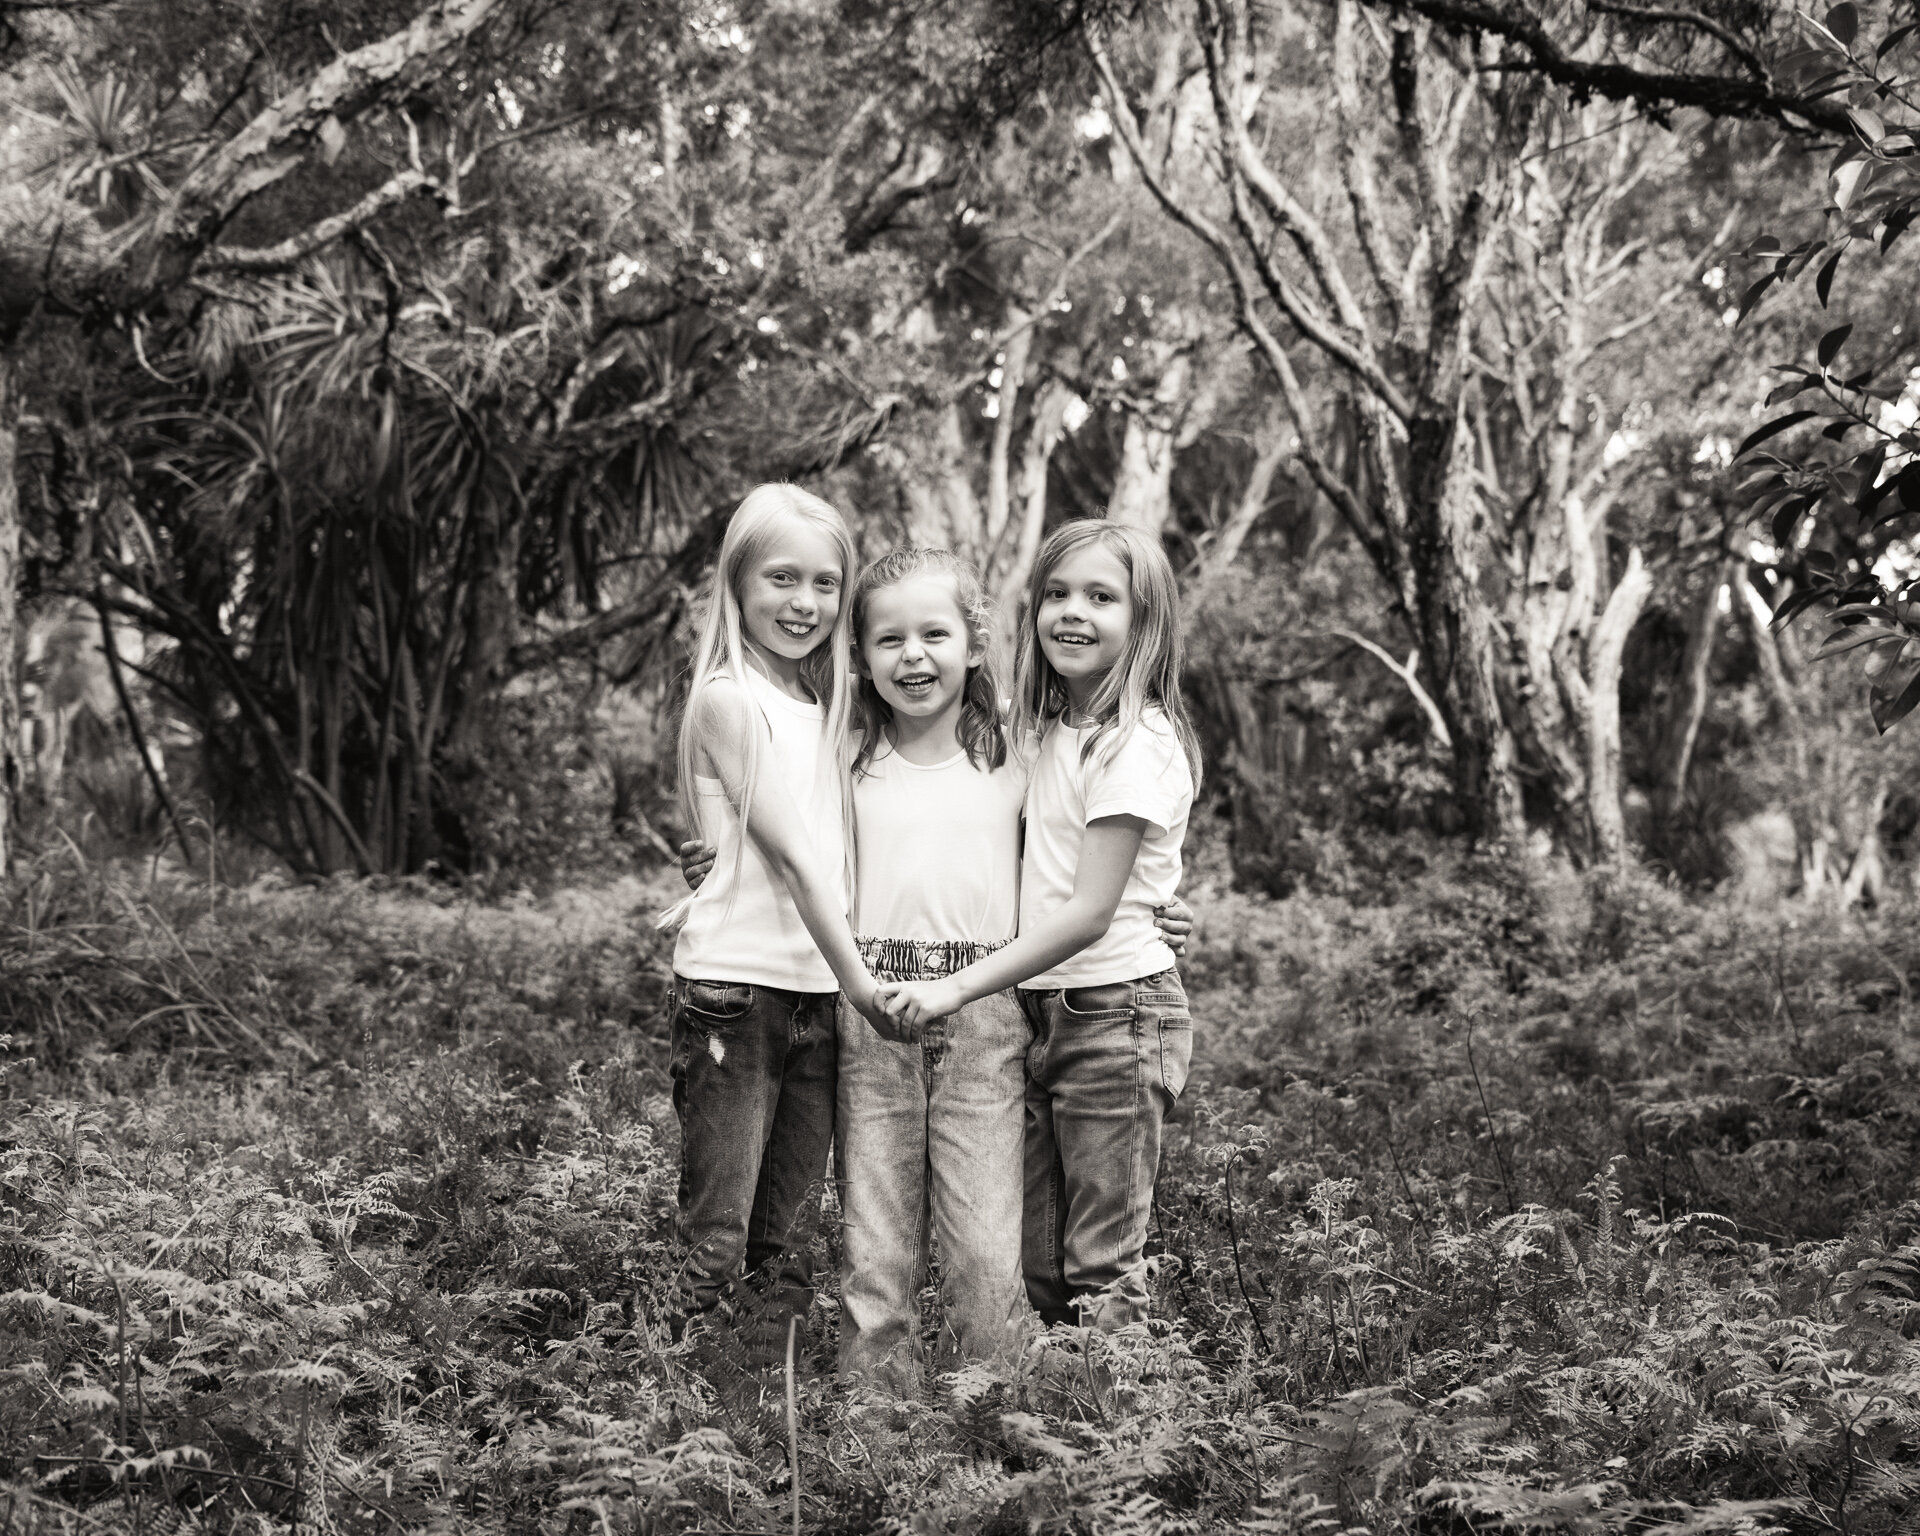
(1105, 1068)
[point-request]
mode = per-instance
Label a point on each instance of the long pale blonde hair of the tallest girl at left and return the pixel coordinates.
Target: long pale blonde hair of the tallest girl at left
(723, 644)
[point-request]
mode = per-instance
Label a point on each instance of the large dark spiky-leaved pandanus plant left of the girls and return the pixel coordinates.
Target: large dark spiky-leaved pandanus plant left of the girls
(352, 517)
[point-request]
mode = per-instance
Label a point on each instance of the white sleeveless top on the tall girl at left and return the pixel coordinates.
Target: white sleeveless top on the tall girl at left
(742, 924)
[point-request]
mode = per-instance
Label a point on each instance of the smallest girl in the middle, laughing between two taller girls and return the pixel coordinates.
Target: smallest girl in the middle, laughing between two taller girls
(930, 1124)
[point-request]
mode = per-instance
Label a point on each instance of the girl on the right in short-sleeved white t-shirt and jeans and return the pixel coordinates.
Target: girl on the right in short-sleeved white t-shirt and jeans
(1107, 813)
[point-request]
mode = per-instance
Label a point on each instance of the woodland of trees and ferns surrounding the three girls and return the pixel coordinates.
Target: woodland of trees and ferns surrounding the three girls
(375, 383)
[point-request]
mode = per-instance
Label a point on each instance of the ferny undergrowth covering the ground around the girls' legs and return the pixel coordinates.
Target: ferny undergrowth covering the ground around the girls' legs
(1512, 1207)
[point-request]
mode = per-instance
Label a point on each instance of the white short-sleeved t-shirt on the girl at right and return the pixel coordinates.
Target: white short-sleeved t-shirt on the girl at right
(1145, 775)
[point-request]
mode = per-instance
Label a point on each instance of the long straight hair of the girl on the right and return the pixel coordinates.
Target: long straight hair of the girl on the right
(1147, 673)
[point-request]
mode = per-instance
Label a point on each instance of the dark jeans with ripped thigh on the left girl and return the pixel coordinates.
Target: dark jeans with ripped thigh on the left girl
(754, 1086)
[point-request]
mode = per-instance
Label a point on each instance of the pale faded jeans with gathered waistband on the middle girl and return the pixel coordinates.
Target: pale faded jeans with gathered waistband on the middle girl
(930, 1141)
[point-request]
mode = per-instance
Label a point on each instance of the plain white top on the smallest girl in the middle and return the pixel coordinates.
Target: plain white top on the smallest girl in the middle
(938, 848)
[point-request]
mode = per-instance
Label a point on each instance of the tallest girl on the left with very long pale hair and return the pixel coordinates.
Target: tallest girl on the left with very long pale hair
(765, 946)
